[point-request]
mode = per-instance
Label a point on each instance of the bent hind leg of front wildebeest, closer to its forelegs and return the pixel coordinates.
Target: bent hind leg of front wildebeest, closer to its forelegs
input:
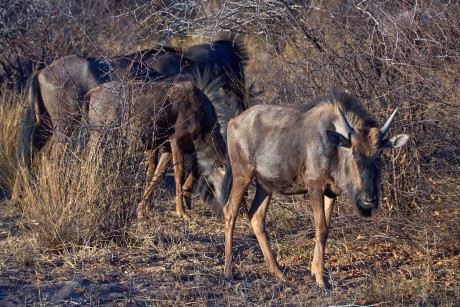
(257, 215)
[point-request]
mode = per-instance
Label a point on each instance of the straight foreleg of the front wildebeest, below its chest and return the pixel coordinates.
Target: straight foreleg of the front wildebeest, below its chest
(321, 233)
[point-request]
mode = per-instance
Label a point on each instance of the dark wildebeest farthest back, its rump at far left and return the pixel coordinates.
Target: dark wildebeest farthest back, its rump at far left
(56, 93)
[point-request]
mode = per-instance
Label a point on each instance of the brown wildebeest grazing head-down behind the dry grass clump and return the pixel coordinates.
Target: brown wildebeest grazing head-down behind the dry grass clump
(155, 112)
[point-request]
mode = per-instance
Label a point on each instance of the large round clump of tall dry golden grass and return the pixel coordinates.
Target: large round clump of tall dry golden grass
(75, 200)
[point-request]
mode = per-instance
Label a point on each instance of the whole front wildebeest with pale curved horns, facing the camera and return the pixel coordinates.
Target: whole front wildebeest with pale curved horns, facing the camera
(324, 148)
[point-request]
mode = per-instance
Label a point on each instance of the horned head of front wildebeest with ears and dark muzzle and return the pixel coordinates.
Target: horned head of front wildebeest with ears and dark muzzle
(361, 161)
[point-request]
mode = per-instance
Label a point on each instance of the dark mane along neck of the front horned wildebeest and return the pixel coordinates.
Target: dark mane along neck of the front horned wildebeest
(356, 114)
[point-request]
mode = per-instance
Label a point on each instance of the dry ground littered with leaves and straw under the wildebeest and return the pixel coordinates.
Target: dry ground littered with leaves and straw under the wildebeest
(394, 259)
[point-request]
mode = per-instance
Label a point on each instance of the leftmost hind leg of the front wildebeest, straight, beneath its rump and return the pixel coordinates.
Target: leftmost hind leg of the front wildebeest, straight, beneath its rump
(239, 187)
